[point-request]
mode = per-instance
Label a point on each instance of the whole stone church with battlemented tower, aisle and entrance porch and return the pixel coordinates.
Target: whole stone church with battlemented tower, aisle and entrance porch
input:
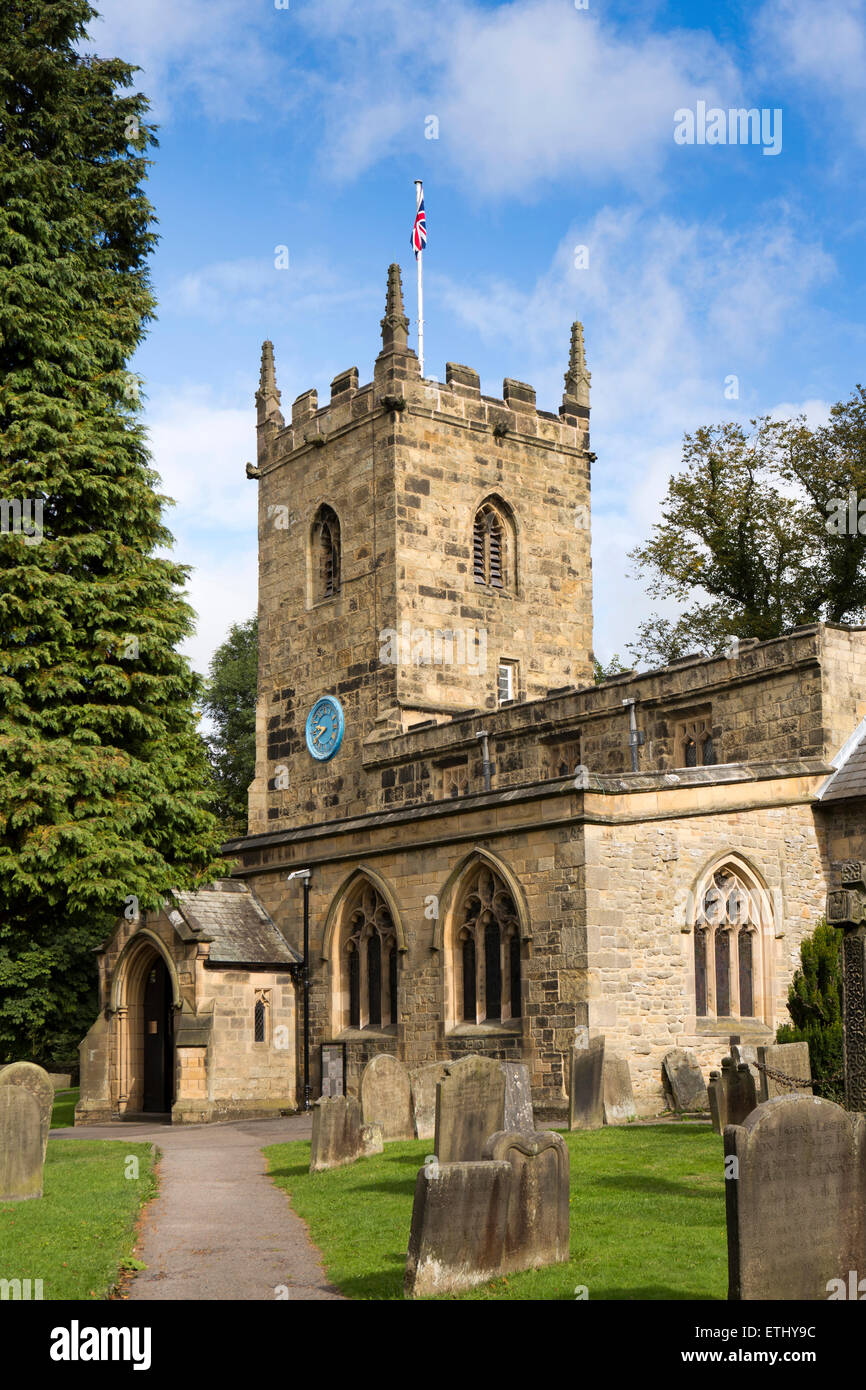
(503, 856)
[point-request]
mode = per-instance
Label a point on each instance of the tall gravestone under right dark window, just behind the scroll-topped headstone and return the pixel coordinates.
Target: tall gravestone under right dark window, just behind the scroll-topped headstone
(471, 1107)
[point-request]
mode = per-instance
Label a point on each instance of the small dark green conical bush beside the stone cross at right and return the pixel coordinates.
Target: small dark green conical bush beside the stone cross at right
(815, 1004)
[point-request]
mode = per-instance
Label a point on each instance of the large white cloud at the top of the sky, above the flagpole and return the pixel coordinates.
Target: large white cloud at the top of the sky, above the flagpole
(525, 92)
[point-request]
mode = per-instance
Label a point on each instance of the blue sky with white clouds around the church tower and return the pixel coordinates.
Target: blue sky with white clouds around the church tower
(305, 127)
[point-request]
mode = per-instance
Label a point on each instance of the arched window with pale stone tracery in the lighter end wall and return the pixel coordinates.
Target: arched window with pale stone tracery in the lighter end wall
(733, 968)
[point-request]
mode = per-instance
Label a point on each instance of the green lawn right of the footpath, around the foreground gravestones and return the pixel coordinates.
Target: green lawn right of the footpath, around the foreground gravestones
(647, 1217)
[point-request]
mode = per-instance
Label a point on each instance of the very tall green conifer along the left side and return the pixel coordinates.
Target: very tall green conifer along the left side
(105, 787)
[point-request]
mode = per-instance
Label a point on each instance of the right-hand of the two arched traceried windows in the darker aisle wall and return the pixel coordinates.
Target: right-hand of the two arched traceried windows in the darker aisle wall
(487, 951)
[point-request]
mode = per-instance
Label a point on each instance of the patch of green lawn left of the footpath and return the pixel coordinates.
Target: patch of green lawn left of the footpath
(80, 1232)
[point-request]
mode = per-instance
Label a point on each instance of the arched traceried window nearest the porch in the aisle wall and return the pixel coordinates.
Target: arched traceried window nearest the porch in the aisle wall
(369, 963)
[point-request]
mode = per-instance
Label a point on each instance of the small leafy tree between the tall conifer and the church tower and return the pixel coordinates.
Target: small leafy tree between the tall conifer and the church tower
(230, 700)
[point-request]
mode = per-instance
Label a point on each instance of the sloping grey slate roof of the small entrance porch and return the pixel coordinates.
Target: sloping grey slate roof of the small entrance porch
(230, 915)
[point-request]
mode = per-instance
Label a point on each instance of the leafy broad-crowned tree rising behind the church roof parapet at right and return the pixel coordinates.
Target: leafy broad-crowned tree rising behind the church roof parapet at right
(765, 529)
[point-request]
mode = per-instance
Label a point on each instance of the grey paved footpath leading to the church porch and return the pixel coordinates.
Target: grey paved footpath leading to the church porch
(219, 1227)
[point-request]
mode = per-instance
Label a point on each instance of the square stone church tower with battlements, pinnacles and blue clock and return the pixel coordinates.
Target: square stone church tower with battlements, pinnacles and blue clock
(425, 553)
